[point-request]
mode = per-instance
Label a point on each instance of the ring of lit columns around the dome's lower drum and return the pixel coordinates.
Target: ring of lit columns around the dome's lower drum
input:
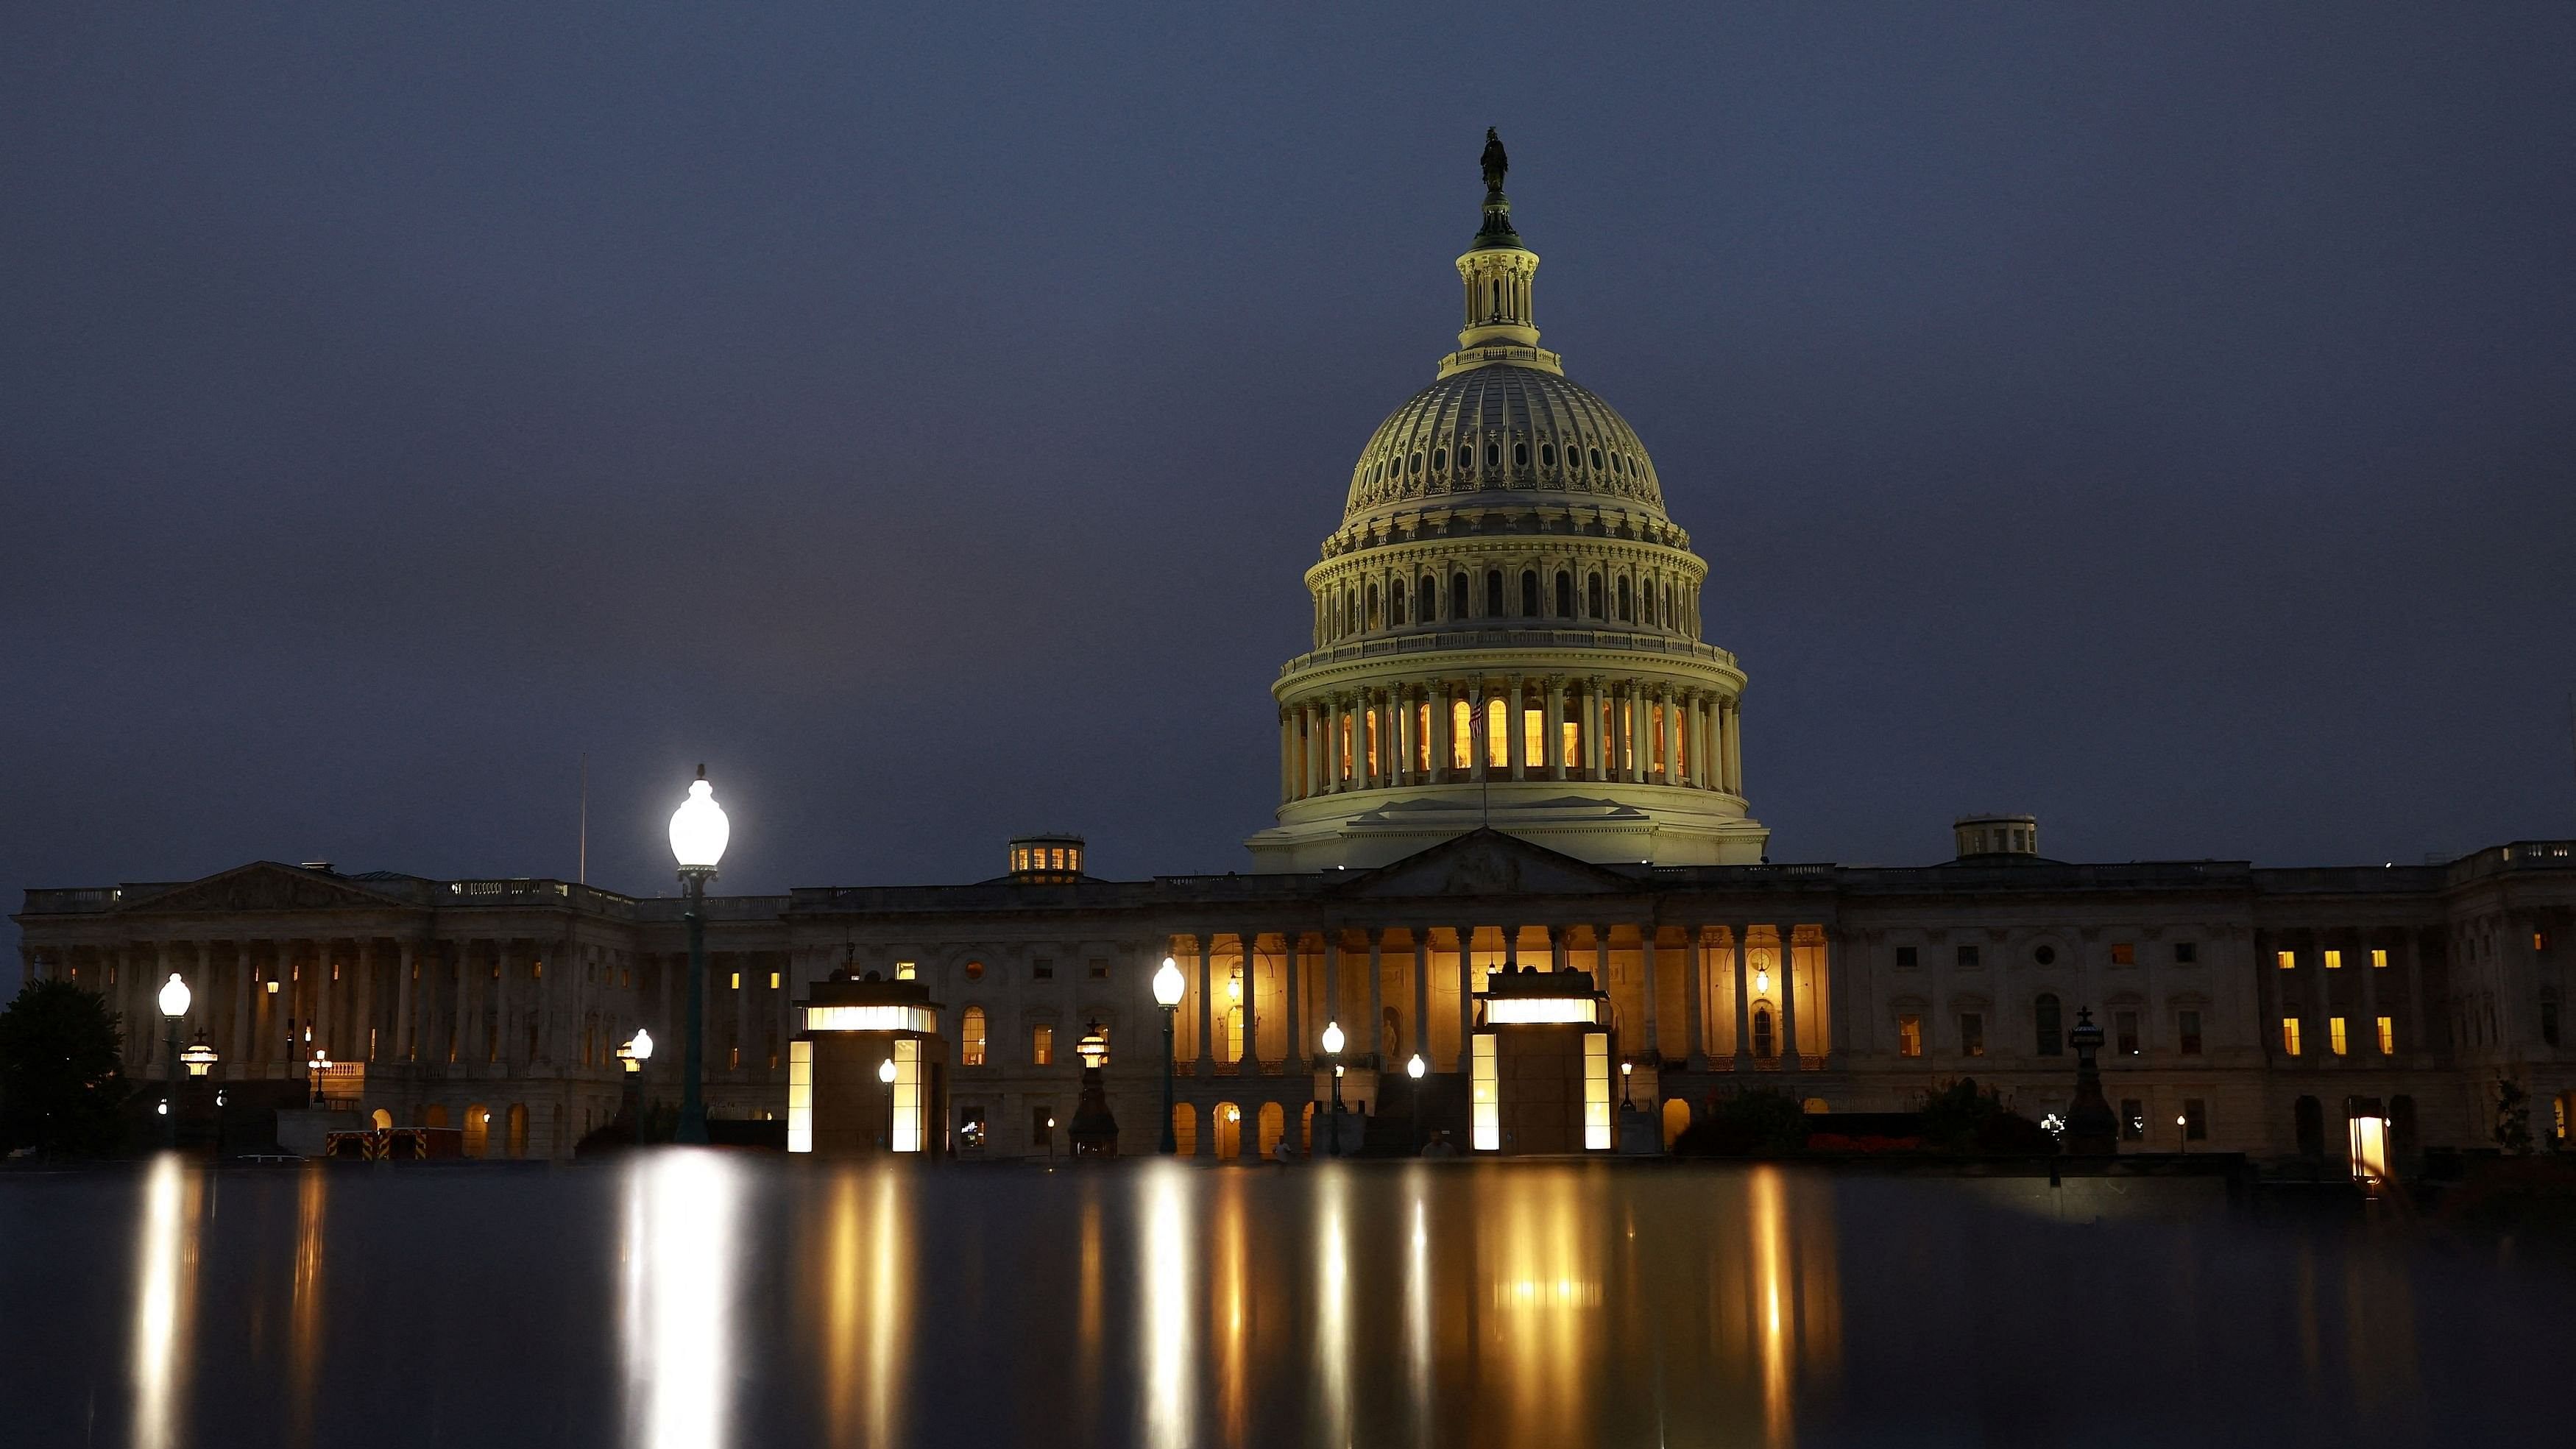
(1637, 732)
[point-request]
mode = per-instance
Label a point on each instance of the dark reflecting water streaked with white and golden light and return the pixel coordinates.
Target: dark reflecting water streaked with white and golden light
(702, 1301)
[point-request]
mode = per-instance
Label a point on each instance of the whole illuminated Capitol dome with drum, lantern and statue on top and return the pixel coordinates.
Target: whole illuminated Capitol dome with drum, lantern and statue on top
(1508, 624)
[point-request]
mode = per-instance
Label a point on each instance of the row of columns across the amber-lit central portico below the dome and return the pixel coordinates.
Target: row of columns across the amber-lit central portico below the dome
(1789, 1049)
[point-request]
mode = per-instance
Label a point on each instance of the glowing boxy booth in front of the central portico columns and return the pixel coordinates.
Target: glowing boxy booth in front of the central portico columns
(1539, 1064)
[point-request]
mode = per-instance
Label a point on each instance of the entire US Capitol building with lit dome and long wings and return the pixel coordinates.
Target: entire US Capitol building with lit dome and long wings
(1508, 748)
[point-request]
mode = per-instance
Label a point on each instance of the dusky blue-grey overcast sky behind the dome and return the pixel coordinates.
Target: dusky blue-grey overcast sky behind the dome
(2152, 418)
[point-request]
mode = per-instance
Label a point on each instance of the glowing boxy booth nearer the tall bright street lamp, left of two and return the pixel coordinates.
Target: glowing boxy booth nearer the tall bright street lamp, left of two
(867, 1069)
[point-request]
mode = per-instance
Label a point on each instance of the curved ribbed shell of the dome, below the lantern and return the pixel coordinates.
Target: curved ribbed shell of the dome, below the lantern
(1521, 434)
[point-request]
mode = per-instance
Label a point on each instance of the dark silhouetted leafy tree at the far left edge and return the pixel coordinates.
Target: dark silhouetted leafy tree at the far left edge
(63, 1085)
